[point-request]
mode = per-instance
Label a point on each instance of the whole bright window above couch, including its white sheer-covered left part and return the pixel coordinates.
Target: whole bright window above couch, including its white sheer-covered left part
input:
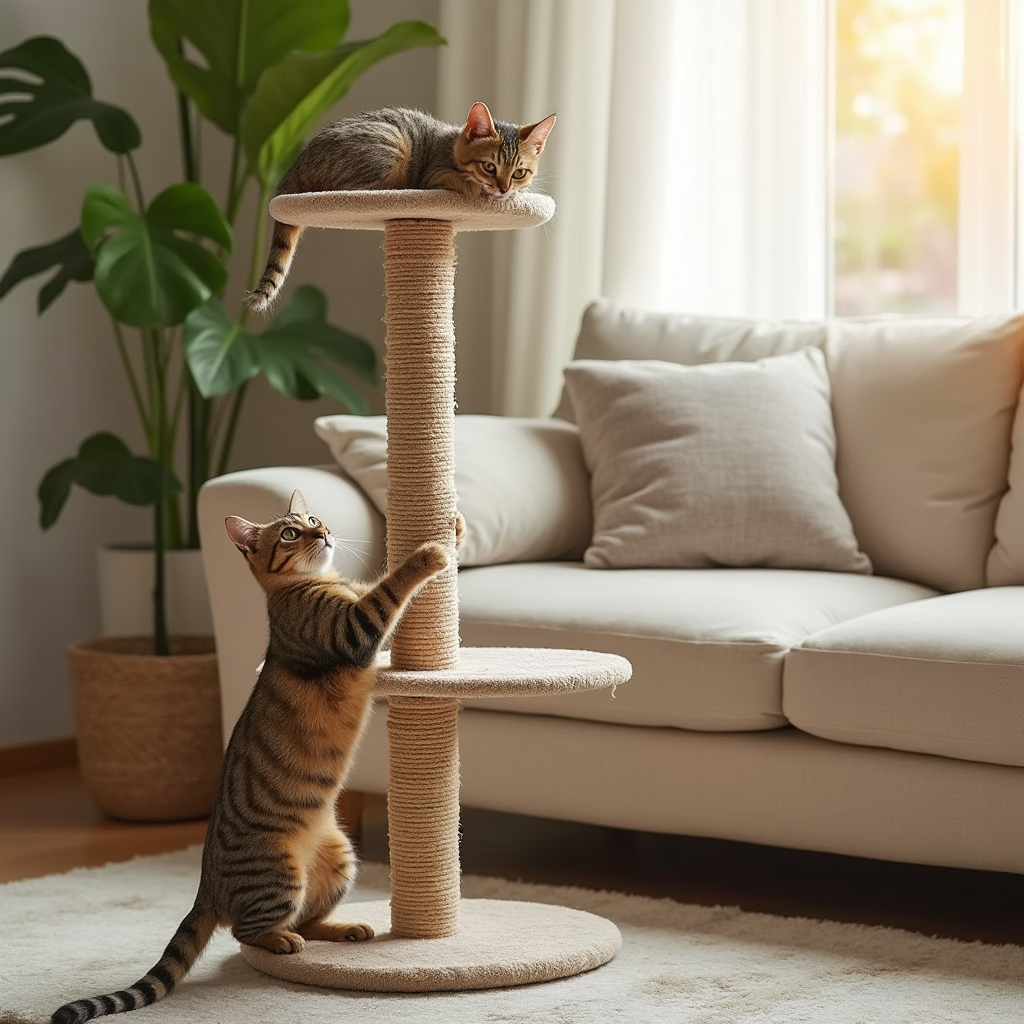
(802, 158)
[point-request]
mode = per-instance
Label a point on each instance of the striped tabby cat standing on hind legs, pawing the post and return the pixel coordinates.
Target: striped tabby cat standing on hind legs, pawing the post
(275, 862)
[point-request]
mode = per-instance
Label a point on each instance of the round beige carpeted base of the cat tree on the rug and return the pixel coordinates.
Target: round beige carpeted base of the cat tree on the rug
(500, 944)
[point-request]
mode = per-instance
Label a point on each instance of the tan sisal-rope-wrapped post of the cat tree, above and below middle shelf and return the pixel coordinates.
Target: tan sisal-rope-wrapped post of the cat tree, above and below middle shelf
(423, 739)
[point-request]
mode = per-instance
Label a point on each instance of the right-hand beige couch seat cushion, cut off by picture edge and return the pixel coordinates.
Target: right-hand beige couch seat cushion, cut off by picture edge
(944, 676)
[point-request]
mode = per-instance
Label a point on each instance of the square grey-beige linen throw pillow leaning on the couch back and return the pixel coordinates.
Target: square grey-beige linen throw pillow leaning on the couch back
(728, 464)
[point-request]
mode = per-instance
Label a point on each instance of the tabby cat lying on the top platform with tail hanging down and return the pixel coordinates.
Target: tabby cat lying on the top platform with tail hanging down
(396, 148)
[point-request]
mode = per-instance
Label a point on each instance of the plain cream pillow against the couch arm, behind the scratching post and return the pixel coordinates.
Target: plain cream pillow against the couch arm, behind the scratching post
(522, 484)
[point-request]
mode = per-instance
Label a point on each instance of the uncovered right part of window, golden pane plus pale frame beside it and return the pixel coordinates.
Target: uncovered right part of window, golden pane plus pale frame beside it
(924, 210)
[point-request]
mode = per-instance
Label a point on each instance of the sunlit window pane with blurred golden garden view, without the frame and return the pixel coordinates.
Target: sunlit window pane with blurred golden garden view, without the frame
(900, 71)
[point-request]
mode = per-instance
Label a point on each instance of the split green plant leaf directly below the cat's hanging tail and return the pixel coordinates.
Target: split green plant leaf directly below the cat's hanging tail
(301, 355)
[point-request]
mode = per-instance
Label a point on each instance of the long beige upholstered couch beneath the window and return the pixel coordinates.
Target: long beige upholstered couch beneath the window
(879, 715)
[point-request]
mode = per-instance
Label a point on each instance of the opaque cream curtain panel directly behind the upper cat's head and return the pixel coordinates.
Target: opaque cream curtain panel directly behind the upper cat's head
(529, 59)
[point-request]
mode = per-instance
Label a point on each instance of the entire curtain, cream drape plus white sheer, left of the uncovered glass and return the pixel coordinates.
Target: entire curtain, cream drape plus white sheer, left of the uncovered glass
(690, 165)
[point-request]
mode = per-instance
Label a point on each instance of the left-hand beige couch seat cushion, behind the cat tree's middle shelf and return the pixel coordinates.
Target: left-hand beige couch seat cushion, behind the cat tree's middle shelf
(707, 646)
